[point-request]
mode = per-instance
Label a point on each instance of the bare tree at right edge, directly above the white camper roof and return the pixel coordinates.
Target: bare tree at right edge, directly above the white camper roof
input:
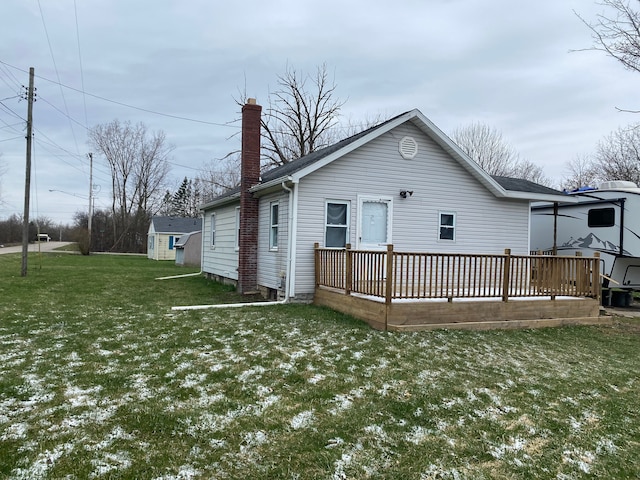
(617, 156)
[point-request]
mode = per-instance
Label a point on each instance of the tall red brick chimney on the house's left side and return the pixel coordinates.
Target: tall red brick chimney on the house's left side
(250, 176)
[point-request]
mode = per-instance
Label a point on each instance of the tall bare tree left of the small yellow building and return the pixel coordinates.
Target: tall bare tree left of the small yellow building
(139, 166)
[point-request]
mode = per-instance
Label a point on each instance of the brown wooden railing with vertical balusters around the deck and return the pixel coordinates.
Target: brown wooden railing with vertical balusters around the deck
(410, 275)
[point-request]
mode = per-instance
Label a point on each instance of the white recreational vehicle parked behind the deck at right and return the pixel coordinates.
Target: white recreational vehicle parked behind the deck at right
(605, 219)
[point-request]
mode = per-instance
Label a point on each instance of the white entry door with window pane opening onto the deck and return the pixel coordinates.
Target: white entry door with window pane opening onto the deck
(374, 223)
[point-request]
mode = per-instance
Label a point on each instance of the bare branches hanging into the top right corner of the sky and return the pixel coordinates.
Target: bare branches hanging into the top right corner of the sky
(617, 32)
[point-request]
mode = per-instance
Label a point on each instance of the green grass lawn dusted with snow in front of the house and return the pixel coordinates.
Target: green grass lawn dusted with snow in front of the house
(100, 379)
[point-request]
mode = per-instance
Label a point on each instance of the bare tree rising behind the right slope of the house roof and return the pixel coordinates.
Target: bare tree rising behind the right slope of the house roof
(487, 147)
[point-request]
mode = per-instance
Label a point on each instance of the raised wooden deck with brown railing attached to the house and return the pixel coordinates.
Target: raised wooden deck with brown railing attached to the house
(402, 291)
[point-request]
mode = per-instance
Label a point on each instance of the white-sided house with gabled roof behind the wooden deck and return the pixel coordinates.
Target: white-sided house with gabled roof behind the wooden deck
(402, 182)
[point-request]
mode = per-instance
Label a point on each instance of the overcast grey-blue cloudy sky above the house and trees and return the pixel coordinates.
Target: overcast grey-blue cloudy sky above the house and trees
(503, 63)
